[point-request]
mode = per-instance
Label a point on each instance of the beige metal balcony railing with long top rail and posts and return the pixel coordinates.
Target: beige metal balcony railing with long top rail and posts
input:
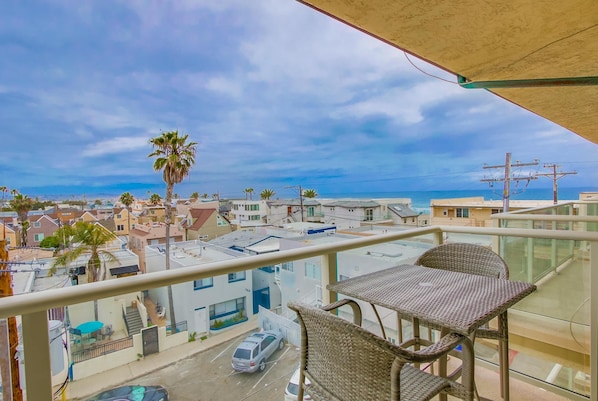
(33, 307)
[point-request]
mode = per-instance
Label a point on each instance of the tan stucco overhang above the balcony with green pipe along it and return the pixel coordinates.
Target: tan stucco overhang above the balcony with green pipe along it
(508, 42)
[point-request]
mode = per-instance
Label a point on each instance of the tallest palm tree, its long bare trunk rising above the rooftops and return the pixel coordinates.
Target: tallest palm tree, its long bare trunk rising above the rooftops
(175, 157)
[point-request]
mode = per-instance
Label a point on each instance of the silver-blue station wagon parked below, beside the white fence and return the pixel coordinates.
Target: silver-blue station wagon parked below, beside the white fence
(255, 350)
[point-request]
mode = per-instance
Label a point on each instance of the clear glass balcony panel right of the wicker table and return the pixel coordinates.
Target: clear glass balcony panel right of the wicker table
(550, 329)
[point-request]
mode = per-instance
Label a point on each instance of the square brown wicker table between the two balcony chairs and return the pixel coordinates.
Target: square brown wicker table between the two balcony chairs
(458, 302)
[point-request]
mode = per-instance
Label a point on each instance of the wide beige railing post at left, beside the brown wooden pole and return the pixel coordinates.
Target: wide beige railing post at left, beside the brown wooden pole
(38, 376)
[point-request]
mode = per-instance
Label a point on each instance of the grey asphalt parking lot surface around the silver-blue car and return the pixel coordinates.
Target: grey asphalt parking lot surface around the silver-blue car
(208, 376)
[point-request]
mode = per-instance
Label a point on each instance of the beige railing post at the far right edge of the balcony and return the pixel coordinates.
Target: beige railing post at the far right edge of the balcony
(594, 321)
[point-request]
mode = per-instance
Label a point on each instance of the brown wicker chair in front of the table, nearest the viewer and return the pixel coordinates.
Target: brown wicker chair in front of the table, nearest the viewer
(344, 362)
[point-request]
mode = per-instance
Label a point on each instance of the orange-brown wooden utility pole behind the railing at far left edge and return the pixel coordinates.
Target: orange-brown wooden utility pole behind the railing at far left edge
(9, 338)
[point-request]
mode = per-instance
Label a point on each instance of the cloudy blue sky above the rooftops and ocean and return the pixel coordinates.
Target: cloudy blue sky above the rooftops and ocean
(274, 93)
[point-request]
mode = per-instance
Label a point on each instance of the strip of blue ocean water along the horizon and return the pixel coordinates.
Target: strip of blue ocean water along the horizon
(420, 200)
